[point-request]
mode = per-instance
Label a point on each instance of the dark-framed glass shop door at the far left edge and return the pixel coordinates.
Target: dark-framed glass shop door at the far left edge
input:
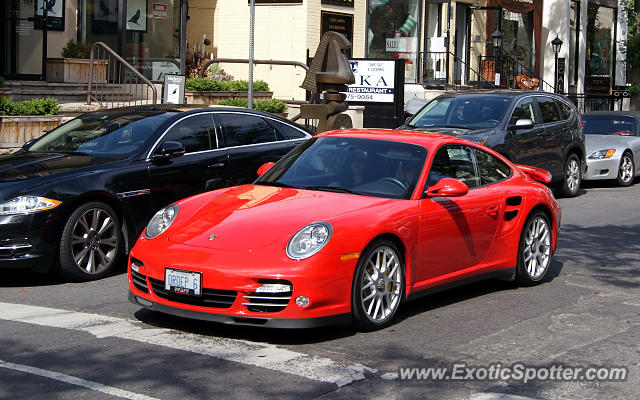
(23, 43)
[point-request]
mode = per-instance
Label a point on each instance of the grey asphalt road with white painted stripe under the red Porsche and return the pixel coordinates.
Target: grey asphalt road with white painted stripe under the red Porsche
(62, 340)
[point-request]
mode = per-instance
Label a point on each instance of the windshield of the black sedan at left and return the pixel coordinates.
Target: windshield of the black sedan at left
(103, 133)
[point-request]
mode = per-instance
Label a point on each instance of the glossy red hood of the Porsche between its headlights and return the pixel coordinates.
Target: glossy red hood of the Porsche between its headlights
(251, 216)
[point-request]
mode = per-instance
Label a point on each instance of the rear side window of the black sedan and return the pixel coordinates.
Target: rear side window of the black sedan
(245, 129)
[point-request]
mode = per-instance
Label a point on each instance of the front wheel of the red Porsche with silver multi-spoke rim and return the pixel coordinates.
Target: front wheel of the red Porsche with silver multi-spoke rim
(377, 291)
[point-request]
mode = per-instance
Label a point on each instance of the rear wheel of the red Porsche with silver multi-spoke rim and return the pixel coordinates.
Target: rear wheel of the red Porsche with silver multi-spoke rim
(534, 251)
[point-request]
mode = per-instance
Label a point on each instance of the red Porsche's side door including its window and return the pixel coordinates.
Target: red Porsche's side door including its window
(455, 233)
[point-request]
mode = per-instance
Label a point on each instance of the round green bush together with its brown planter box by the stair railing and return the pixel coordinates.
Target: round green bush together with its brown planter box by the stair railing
(73, 67)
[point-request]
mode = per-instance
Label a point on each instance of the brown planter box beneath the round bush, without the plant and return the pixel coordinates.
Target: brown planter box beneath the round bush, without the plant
(75, 70)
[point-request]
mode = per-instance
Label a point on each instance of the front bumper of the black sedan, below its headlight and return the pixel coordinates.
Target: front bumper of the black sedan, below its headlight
(28, 241)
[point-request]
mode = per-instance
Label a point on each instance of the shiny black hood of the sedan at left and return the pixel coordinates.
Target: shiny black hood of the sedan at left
(24, 166)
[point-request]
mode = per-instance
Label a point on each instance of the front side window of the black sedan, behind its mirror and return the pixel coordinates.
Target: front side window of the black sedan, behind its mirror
(196, 133)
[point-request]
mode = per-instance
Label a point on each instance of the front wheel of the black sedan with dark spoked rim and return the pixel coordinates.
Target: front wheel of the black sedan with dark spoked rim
(90, 244)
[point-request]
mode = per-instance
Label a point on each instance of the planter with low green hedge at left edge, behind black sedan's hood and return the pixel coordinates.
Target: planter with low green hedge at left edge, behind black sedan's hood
(26, 120)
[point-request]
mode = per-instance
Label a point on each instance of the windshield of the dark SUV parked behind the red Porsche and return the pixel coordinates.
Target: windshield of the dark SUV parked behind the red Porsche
(467, 112)
